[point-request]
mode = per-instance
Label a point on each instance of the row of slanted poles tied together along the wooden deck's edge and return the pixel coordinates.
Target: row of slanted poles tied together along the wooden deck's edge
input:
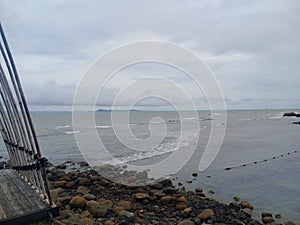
(16, 125)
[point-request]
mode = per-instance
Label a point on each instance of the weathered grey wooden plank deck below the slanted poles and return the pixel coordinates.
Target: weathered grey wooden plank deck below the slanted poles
(19, 203)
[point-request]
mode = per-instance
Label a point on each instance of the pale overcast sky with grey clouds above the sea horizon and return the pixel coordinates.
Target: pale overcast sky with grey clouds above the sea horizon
(251, 47)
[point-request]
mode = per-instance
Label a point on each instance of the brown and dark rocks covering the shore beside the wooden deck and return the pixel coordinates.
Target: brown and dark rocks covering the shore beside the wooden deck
(84, 197)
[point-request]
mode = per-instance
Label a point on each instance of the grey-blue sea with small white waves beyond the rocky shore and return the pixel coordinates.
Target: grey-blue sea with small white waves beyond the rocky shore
(258, 159)
